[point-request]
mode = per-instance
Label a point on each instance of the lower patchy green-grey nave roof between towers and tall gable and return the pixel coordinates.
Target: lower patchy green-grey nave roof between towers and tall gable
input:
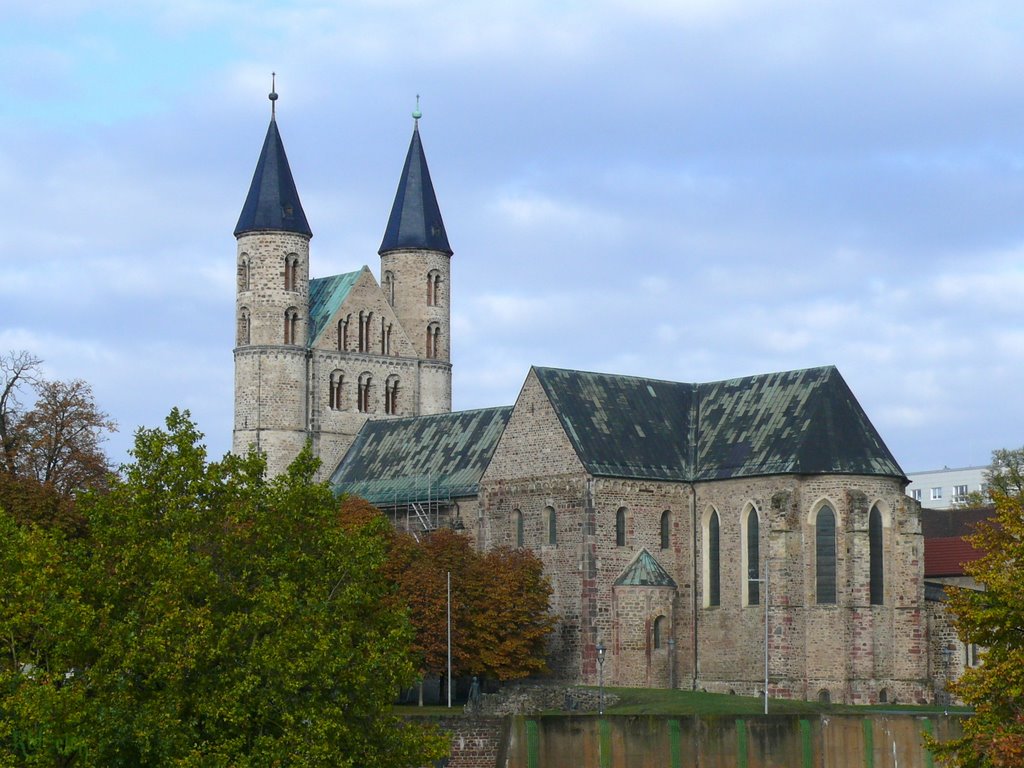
(420, 458)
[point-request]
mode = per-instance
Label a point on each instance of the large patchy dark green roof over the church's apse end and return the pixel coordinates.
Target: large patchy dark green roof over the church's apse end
(797, 422)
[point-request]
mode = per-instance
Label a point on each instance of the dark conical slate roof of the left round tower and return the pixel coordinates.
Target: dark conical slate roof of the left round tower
(273, 203)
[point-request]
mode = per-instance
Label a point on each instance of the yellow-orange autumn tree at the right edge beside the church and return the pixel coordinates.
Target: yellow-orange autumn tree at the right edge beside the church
(994, 619)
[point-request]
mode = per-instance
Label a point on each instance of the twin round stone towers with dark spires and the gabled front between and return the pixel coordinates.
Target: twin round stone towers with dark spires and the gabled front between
(315, 360)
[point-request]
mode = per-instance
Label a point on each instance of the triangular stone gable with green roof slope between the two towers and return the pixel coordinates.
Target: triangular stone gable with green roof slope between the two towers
(335, 315)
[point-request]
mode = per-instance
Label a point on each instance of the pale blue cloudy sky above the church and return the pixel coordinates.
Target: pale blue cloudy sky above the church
(688, 190)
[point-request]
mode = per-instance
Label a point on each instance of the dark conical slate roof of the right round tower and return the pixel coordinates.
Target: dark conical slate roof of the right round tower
(416, 218)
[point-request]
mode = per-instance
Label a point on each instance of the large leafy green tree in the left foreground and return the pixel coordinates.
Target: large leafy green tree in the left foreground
(211, 618)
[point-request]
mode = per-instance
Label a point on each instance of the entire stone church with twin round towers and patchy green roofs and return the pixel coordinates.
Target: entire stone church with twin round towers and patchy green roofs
(684, 526)
